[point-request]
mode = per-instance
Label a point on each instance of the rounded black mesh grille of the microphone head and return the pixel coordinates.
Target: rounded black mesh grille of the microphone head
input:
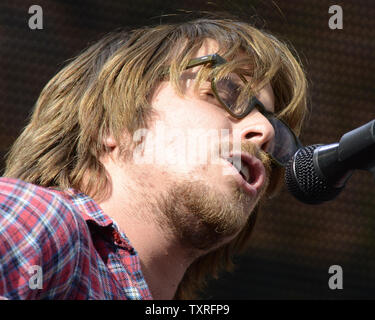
(302, 180)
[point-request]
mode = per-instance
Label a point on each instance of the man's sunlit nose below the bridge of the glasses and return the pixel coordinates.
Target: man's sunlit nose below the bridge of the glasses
(257, 129)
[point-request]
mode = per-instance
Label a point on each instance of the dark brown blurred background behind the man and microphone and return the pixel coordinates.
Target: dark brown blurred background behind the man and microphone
(293, 244)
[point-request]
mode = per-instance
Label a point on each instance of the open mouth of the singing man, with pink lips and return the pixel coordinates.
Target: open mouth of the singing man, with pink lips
(250, 171)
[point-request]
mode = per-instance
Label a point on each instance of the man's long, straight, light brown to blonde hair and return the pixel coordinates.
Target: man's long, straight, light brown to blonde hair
(106, 90)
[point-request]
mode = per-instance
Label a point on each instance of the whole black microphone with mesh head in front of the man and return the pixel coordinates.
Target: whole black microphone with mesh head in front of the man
(318, 173)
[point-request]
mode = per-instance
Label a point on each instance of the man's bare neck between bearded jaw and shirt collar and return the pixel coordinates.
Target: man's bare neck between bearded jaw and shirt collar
(163, 260)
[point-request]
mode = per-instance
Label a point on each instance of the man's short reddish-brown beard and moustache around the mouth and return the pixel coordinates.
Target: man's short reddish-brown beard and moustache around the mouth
(201, 217)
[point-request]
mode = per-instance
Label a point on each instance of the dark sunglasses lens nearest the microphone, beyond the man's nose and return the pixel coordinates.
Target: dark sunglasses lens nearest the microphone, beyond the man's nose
(284, 144)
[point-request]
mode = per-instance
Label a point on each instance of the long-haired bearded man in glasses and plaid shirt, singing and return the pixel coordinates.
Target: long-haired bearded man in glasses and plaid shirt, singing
(106, 191)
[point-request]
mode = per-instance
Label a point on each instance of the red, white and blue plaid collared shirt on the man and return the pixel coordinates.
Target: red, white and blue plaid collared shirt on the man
(78, 250)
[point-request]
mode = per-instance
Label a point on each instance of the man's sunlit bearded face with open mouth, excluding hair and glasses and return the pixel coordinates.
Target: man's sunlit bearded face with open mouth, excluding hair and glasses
(184, 155)
